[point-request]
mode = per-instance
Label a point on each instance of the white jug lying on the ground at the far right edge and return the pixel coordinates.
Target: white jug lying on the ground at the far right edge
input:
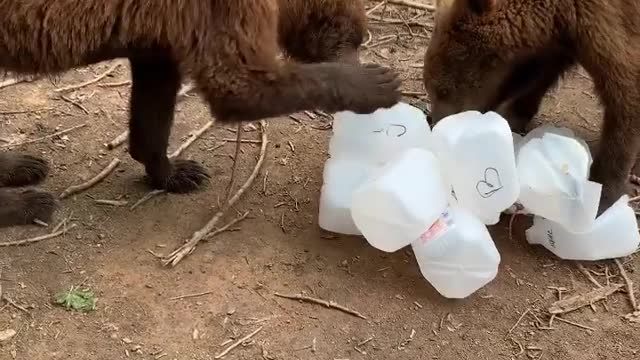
(613, 234)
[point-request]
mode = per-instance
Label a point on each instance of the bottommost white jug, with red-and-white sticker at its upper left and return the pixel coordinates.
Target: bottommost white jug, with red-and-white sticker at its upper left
(457, 255)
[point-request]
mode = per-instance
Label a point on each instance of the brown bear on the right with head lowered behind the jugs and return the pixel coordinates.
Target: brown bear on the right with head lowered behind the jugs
(503, 55)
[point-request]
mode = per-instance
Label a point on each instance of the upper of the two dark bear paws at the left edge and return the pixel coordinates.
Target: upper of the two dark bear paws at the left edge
(19, 169)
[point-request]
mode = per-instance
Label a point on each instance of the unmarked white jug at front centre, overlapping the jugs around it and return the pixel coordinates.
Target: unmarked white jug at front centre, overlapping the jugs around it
(395, 206)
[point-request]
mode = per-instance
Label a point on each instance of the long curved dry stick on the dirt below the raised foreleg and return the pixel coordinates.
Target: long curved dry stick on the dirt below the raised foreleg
(176, 256)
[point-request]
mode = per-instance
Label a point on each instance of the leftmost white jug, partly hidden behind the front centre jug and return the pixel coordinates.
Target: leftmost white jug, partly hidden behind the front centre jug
(341, 177)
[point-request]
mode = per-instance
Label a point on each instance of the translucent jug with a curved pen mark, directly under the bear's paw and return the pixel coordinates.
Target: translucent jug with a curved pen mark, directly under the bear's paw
(377, 137)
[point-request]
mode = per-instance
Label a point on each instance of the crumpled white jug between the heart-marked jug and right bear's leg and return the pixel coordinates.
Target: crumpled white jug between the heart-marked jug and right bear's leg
(553, 168)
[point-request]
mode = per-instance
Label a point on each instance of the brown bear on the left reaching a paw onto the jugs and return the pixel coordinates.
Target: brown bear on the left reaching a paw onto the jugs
(229, 48)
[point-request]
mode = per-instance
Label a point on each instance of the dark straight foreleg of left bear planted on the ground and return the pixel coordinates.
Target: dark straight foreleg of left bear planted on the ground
(155, 84)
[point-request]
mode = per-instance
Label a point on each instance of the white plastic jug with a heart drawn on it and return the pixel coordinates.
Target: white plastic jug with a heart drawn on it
(477, 155)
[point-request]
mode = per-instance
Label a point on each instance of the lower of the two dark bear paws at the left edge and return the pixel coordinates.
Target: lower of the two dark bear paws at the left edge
(21, 207)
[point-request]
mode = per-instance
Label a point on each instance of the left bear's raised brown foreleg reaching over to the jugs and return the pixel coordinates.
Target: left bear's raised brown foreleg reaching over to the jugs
(290, 88)
